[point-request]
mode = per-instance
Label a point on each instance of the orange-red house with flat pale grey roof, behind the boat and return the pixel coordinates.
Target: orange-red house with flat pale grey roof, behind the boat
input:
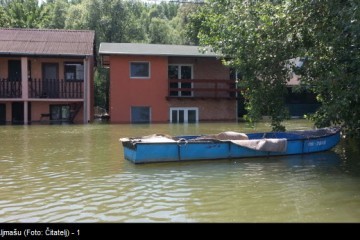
(152, 83)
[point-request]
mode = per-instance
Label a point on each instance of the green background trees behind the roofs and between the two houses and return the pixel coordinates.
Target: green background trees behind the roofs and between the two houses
(112, 21)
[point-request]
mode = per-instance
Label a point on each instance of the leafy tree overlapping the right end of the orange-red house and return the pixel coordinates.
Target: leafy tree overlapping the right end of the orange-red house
(252, 36)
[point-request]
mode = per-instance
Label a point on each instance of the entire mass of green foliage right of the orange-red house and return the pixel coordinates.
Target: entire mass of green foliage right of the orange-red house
(259, 37)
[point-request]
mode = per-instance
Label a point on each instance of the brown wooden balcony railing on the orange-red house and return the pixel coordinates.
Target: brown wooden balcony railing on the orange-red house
(202, 88)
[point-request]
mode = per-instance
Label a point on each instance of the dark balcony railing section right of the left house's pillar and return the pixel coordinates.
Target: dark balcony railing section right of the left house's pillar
(55, 88)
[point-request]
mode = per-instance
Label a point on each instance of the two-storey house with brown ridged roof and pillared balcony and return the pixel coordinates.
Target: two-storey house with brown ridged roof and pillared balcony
(46, 76)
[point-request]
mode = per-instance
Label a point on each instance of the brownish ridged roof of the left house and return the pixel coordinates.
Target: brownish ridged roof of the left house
(46, 42)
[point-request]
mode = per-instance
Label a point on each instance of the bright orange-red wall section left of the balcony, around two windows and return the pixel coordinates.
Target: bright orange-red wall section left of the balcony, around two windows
(126, 92)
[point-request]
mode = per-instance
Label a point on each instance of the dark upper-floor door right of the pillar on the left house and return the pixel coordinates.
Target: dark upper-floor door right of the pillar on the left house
(50, 73)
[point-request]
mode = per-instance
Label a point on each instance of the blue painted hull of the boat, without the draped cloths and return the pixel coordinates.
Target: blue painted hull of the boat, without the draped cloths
(204, 150)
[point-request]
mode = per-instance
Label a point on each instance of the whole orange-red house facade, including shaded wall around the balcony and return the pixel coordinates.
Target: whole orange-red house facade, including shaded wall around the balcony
(152, 92)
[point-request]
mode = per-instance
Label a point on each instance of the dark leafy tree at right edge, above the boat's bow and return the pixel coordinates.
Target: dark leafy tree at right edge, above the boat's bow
(331, 41)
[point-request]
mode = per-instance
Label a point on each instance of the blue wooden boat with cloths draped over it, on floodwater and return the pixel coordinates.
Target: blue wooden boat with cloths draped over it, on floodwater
(228, 145)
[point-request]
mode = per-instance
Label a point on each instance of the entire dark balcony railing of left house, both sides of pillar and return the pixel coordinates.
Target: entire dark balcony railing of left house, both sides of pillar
(42, 88)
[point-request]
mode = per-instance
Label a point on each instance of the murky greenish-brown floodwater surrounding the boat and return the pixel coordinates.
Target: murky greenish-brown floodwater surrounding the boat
(77, 173)
